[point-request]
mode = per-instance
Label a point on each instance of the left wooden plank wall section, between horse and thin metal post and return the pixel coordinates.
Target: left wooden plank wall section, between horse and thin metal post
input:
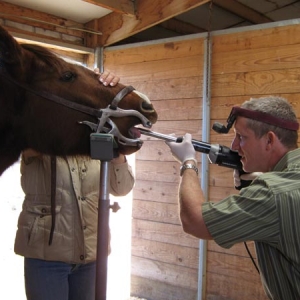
(164, 259)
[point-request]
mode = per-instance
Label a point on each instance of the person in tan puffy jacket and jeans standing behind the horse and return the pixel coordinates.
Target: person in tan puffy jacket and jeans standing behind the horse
(66, 269)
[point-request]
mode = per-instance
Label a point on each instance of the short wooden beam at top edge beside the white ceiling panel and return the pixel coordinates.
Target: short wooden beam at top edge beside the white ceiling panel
(119, 6)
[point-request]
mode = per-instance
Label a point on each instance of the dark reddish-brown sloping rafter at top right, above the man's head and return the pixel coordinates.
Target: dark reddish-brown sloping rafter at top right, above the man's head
(243, 11)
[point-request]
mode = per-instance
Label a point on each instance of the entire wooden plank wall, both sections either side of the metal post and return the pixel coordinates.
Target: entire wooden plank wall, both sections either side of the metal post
(252, 63)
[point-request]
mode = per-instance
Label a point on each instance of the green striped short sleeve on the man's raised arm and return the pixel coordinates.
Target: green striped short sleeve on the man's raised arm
(251, 215)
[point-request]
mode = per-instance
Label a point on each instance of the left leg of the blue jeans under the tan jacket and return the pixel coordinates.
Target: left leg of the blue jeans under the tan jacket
(46, 280)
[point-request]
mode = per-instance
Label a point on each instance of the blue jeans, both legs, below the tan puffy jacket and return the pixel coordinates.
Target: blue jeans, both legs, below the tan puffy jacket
(51, 280)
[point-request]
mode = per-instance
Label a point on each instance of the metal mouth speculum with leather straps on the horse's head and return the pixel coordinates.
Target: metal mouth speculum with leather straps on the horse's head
(103, 115)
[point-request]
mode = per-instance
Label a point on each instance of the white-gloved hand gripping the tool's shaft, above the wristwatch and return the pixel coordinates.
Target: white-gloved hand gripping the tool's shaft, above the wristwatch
(183, 151)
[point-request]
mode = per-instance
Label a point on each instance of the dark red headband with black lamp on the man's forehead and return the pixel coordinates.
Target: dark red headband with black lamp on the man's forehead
(254, 115)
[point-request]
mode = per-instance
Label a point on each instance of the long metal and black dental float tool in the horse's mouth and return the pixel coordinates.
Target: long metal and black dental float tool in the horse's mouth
(217, 154)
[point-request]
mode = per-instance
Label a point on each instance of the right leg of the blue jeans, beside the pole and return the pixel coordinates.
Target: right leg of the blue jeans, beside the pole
(82, 282)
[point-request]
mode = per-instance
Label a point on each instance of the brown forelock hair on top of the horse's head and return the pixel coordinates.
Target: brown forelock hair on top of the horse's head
(44, 55)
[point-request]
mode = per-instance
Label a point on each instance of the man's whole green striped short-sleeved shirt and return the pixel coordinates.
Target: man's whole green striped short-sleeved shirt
(268, 213)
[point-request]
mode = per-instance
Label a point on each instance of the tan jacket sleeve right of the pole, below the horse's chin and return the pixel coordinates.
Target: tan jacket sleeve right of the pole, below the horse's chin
(121, 179)
